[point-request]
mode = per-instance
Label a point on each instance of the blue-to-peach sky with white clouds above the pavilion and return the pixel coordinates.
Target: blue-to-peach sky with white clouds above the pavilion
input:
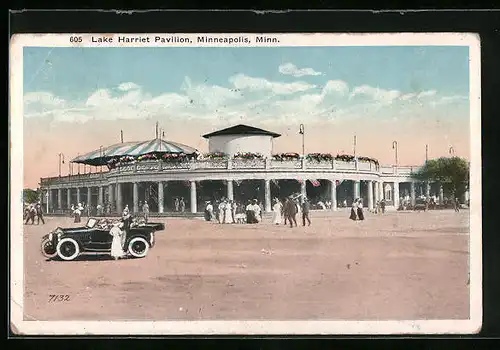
(77, 99)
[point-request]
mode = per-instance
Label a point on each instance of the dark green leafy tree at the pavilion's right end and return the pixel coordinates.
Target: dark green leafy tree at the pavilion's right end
(450, 172)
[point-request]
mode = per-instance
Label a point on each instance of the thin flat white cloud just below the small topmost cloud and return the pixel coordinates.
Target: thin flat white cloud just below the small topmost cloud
(244, 82)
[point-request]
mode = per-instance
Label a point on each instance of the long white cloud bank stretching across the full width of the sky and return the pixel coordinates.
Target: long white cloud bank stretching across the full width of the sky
(245, 98)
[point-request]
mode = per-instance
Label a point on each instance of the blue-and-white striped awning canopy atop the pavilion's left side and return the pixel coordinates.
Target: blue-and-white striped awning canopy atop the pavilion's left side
(103, 155)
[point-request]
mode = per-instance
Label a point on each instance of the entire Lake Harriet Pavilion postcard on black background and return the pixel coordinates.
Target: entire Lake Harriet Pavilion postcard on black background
(245, 184)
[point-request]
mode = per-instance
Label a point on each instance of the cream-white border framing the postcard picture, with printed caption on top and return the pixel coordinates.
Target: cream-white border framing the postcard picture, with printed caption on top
(27, 327)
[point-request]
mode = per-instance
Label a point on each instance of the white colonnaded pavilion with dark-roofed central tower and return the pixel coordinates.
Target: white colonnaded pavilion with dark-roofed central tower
(197, 180)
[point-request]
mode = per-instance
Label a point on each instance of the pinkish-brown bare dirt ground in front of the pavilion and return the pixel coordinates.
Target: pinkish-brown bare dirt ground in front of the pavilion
(402, 265)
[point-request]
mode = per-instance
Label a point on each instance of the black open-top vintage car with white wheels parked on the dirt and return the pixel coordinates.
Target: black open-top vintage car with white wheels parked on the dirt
(94, 237)
